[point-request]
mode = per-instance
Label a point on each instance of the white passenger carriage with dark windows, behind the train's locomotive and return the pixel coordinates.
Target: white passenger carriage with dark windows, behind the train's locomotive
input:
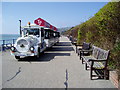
(51, 37)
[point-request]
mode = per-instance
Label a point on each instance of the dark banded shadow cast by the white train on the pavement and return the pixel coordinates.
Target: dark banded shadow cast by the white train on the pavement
(47, 56)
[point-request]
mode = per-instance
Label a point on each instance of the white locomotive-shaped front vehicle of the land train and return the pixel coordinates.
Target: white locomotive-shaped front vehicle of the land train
(31, 42)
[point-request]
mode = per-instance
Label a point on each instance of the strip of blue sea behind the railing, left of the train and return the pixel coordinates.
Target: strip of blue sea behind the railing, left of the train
(8, 38)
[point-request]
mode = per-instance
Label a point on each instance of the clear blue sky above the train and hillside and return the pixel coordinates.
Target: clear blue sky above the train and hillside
(59, 14)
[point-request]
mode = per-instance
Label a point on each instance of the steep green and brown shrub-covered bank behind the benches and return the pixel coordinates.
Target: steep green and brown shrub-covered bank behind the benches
(102, 30)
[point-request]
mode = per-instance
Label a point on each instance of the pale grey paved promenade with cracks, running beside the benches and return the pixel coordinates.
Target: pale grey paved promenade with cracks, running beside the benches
(59, 67)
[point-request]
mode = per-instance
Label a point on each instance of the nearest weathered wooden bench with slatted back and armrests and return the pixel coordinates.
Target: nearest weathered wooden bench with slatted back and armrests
(97, 61)
